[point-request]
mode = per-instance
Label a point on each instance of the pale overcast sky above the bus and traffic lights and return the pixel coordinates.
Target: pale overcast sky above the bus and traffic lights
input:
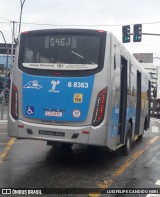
(87, 12)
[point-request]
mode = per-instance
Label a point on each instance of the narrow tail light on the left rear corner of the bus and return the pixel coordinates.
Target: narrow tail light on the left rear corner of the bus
(14, 102)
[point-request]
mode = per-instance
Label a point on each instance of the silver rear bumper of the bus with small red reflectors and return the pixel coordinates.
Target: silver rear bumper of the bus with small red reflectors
(63, 134)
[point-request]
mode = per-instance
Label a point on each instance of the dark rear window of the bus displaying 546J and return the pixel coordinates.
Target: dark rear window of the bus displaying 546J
(61, 52)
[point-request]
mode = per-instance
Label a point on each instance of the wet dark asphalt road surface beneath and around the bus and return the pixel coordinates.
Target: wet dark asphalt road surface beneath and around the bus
(33, 164)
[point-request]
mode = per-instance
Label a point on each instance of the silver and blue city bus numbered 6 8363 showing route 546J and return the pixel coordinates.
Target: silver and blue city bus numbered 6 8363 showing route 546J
(78, 86)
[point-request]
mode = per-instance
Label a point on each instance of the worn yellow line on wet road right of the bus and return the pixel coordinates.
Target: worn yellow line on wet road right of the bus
(105, 184)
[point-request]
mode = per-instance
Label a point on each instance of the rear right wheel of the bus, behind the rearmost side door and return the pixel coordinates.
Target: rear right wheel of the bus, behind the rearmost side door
(128, 140)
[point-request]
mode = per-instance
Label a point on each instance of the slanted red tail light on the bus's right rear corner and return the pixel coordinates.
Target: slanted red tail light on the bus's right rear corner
(99, 109)
